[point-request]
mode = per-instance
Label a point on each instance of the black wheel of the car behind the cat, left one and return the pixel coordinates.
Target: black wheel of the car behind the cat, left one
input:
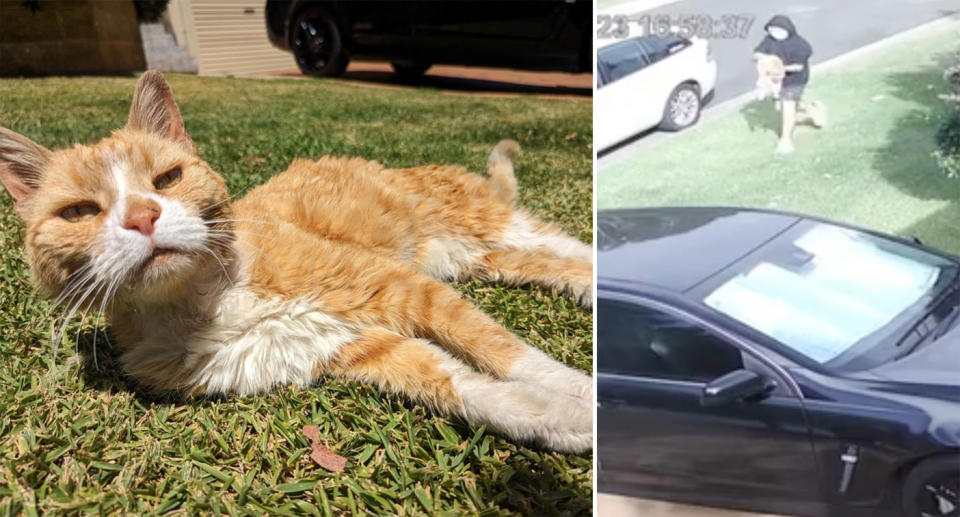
(317, 43)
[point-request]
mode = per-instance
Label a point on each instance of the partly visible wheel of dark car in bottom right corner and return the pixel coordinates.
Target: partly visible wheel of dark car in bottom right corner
(932, 488)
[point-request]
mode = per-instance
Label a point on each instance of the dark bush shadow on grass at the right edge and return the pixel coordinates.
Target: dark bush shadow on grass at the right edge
(906, 160)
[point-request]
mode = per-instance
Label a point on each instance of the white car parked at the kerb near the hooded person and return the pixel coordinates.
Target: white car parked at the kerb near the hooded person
(648, 82)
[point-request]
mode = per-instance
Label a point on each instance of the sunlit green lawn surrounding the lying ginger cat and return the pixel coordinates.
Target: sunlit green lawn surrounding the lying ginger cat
(79, 438)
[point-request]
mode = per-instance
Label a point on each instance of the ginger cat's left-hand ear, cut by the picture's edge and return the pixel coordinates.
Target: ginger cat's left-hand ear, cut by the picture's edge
(21, 164)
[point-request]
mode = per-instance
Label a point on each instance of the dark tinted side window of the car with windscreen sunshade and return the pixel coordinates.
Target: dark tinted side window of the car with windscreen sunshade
(640, 341)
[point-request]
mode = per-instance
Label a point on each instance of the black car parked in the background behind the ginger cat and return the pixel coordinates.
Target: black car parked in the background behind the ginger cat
(526, 34)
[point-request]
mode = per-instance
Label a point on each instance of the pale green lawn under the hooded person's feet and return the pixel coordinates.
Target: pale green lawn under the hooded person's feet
(871, 166)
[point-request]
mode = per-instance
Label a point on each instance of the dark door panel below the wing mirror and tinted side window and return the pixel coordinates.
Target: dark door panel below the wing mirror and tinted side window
(760, 453)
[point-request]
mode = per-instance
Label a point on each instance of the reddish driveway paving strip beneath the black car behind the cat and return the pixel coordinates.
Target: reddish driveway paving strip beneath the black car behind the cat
(464, 80)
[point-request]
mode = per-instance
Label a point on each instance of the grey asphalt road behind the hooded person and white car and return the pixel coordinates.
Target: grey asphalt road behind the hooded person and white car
(832, 27)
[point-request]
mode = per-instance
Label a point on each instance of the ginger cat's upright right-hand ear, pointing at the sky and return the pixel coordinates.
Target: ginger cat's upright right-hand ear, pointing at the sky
(154, 111)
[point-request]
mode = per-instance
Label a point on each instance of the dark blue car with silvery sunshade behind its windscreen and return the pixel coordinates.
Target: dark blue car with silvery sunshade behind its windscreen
(776, 362)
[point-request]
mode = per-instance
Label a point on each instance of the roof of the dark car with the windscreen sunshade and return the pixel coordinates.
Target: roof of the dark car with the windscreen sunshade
(675, 248)
